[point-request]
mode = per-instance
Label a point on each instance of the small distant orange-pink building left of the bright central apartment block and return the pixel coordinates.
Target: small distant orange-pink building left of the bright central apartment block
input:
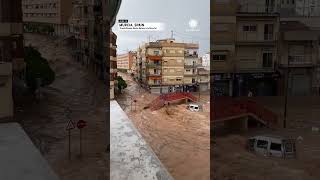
(125, 61)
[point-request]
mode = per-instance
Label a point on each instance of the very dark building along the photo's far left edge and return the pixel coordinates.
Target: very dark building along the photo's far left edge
(12, 64)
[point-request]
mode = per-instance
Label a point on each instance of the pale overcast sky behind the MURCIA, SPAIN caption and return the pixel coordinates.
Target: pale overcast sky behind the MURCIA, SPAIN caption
(175, 14)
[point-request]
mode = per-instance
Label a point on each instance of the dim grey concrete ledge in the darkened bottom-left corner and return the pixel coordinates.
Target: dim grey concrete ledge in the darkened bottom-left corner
(20, 159)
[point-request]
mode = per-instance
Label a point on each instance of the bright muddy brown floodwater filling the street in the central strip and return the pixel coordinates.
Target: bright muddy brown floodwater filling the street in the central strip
(179, 137)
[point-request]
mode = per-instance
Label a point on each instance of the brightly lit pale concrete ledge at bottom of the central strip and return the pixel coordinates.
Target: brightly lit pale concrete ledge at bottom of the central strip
(130, 156)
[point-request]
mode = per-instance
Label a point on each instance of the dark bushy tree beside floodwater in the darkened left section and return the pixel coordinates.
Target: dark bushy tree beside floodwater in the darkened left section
(38, 71)
